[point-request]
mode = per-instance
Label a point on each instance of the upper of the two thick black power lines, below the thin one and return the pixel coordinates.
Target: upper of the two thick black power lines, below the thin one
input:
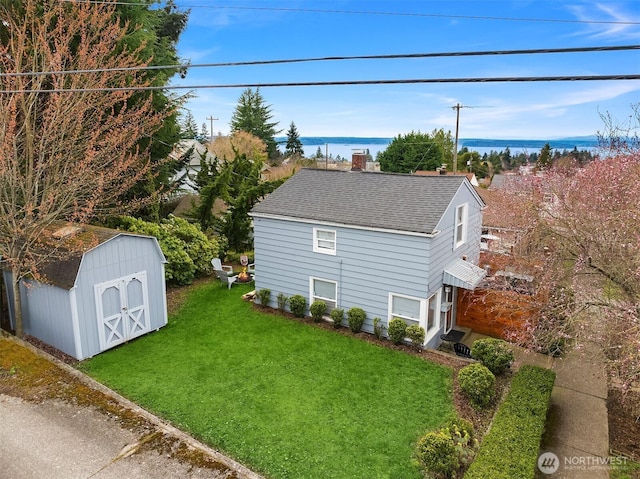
(185, 66)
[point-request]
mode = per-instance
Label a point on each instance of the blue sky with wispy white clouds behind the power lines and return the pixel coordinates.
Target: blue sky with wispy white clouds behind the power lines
(270, 29)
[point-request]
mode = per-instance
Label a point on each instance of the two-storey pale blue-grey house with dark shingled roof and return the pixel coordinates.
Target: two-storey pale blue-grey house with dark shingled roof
(395, 245)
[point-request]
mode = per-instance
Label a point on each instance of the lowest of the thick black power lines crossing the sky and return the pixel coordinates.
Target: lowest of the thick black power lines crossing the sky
(345, 82)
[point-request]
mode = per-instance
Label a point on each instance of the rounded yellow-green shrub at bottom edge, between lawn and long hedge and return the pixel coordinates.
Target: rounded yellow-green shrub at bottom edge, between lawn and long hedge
(436, 452)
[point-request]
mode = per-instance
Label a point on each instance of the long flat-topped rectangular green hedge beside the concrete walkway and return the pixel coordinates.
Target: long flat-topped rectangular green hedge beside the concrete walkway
(510, 449)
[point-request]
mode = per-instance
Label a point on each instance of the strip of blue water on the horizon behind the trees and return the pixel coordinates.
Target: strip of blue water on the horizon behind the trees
(346, 146)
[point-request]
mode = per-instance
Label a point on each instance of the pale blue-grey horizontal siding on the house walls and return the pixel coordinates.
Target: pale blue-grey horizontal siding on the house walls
(368, 264)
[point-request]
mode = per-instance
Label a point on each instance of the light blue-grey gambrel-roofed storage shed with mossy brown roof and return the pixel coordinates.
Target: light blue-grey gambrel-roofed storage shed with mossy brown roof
(109, 292)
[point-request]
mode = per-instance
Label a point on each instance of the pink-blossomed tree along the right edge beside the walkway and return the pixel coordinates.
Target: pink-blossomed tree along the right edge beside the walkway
(580, 235)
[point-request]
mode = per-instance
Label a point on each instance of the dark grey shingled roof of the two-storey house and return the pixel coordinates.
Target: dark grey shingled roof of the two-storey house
(365, 199)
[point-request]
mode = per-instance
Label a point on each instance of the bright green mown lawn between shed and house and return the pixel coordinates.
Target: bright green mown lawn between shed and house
(284, 398)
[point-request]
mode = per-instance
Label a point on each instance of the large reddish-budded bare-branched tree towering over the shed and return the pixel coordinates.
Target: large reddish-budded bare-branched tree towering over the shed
(68, 141)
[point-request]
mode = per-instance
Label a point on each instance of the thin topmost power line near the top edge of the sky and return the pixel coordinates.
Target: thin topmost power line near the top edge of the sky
(365, 12)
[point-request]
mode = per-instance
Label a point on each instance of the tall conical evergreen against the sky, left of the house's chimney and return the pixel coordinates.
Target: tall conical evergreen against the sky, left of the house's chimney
(254, 116)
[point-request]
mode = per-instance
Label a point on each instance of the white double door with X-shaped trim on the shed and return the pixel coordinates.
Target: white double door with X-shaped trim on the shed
(123, 309)
